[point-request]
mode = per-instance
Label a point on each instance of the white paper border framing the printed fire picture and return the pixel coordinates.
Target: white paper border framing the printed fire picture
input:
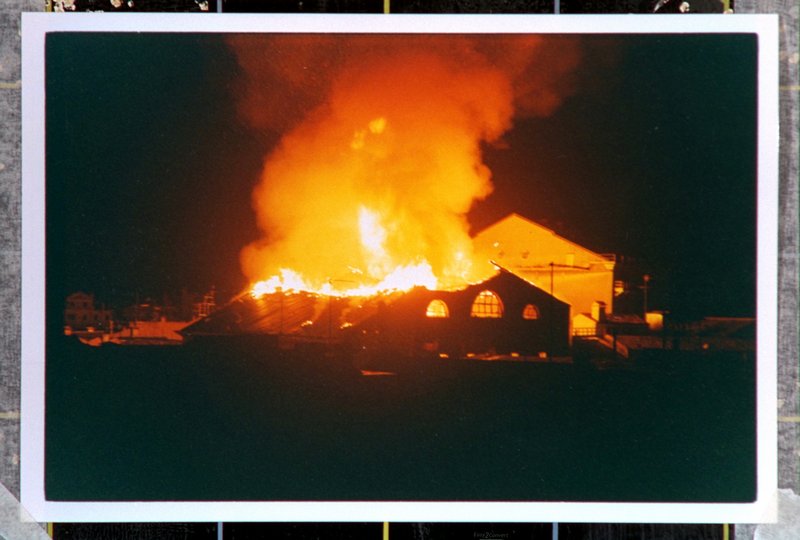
(35, 28)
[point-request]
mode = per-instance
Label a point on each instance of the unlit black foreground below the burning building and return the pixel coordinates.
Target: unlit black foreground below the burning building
(229, 423)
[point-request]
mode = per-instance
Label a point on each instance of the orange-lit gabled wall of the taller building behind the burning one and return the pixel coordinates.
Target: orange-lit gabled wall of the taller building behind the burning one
(580, 276)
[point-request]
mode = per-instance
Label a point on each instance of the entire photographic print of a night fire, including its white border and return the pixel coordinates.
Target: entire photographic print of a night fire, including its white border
(399, 267)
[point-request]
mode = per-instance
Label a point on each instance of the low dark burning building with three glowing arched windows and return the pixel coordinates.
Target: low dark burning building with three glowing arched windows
(503, 315)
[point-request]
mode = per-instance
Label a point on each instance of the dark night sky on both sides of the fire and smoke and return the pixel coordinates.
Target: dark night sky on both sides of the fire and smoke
(150, 170)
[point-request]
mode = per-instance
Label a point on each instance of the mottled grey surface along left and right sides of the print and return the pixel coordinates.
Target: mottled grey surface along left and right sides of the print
(10, 249)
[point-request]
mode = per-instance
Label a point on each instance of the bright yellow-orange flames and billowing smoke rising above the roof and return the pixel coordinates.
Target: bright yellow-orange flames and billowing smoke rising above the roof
(369, 188)
